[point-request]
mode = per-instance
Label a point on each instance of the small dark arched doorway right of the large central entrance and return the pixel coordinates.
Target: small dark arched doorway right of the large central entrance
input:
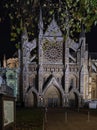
(73, 100)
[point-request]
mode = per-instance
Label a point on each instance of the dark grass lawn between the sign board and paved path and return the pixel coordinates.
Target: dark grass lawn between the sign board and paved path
(29, 117)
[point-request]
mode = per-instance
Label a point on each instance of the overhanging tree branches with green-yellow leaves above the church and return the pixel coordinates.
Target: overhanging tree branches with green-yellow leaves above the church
(26, 13)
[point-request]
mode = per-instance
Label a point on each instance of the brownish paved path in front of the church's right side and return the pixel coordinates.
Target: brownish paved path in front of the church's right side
(59, 119)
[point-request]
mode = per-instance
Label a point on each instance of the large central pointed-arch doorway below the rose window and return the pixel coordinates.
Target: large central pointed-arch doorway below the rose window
(52, 97)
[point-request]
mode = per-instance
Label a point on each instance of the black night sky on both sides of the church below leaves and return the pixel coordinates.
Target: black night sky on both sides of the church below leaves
(8, 48)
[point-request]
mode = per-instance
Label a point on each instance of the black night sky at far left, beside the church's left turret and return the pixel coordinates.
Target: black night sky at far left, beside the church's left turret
(6, 47)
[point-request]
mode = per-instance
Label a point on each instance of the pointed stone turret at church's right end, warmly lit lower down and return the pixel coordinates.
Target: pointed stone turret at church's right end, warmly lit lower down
(84, 65)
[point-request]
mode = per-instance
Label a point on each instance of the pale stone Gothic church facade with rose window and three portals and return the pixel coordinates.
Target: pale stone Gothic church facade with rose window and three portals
(62, 74)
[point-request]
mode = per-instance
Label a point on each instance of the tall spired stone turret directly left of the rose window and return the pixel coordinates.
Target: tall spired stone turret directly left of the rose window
(40, 56)
